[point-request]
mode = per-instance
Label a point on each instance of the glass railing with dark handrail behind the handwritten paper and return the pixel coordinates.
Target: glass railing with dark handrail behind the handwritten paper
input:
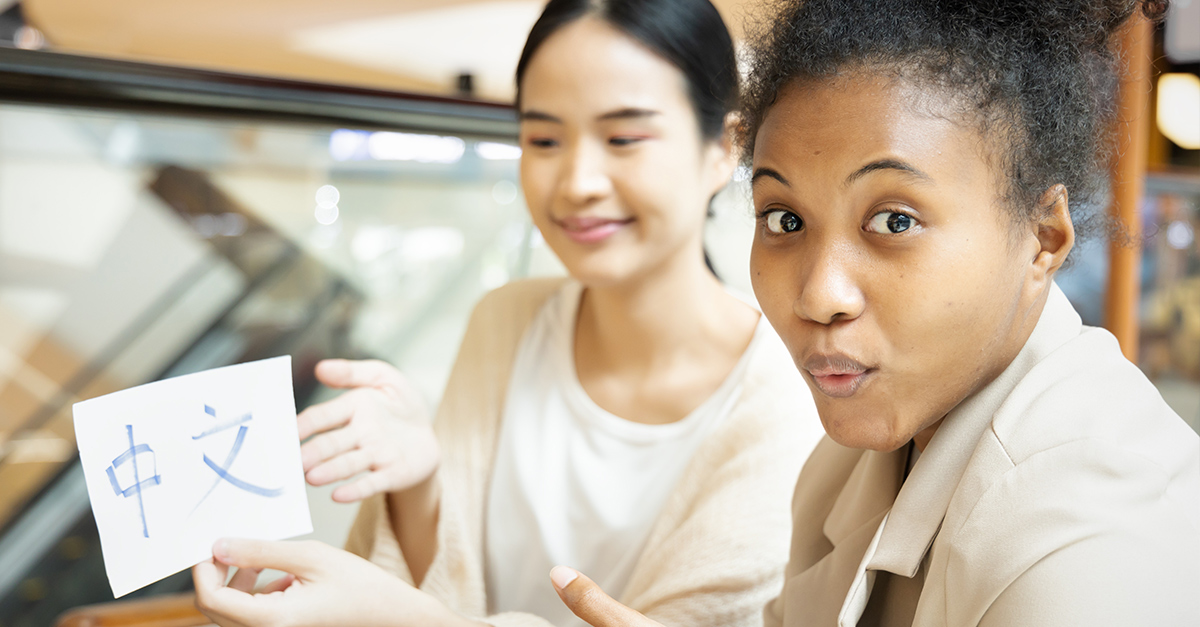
(159, 222)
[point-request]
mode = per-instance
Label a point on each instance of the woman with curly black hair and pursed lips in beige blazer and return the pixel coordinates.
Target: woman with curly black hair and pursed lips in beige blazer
(922, 170)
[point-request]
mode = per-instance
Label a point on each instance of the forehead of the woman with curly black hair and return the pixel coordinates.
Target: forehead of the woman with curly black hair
(826, 127)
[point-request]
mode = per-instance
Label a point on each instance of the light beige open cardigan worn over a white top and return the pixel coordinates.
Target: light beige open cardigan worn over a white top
(717, 552)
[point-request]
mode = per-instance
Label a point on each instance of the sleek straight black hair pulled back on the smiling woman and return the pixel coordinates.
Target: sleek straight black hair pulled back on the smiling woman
(689, 34)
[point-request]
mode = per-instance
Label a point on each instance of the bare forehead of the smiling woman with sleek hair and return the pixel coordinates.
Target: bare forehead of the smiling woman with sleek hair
(590, 68)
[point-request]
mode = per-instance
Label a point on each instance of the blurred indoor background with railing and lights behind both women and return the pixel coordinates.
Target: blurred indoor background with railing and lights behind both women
(187, 186)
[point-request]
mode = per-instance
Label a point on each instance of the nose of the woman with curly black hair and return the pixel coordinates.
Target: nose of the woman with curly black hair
(830, 292)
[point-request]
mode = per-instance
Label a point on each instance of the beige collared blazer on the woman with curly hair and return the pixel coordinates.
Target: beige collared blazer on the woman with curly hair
(1064, 493)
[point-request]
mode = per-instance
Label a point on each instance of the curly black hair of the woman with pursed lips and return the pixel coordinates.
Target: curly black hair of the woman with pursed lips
(1036, 77)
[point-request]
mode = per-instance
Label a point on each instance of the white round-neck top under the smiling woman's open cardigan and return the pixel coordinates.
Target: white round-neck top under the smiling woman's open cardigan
(574, 485)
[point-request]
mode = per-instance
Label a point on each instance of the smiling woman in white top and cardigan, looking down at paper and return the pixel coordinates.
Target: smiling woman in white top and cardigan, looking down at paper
(635, 420)
